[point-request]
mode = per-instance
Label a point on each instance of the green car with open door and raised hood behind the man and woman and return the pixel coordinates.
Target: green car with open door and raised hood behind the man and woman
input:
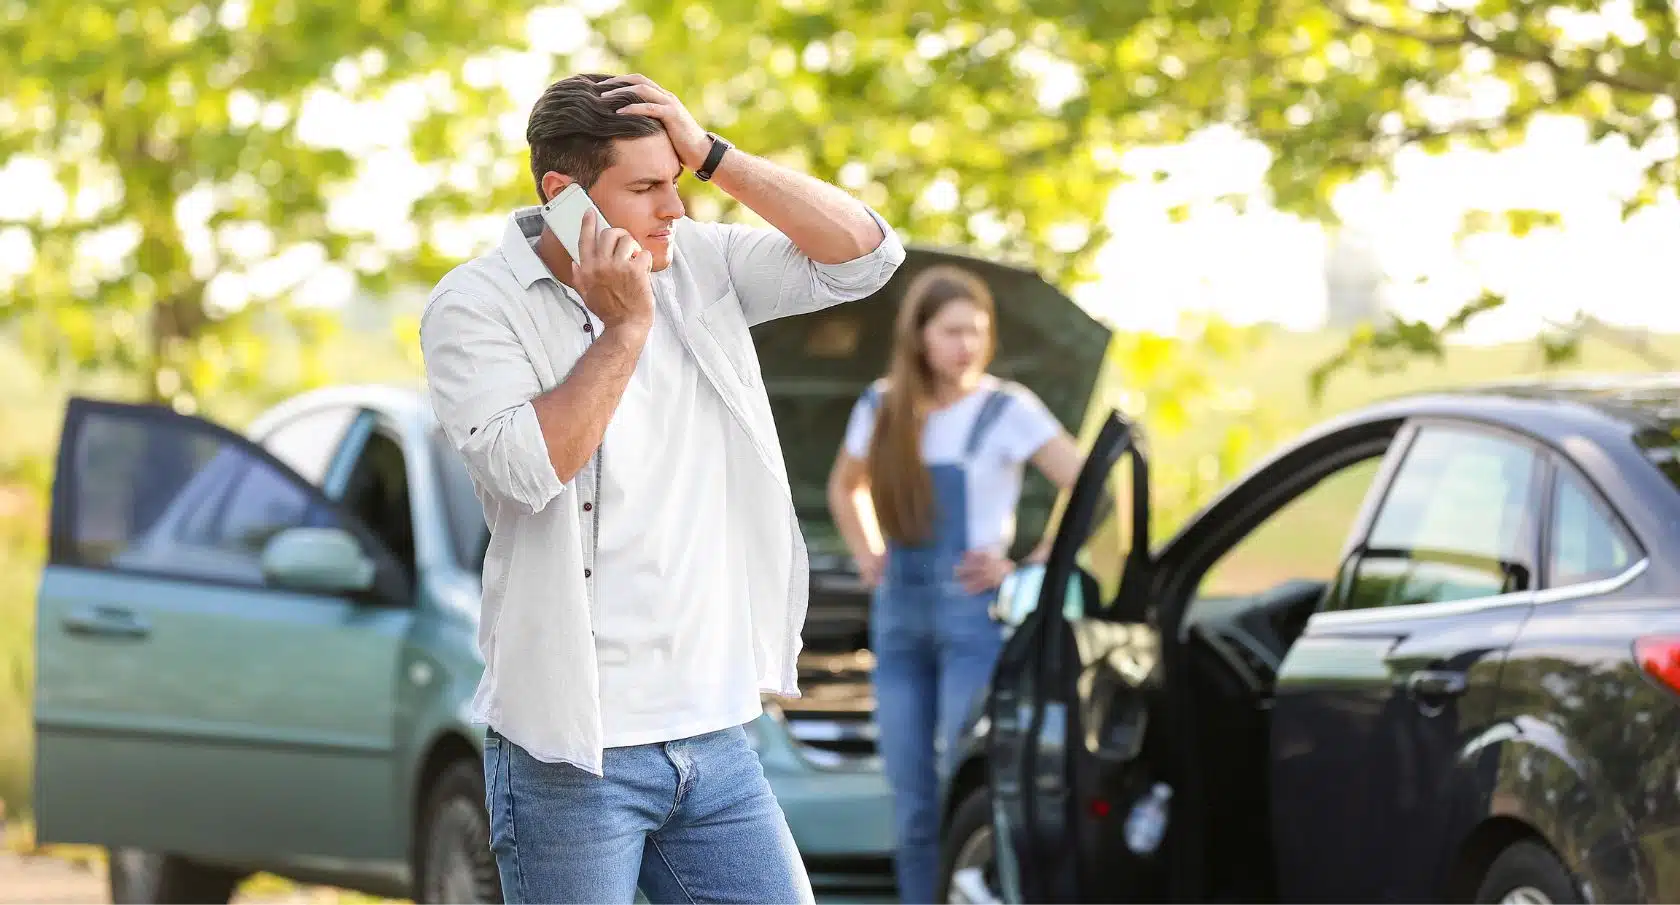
(258, 652)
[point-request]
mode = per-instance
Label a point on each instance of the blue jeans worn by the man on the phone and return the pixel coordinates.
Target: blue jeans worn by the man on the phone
(691, 820)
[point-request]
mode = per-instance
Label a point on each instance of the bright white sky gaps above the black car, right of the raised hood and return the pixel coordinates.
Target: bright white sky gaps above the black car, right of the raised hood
(1268, 266)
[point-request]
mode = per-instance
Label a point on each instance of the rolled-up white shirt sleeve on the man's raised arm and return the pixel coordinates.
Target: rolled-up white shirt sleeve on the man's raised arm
(775, 280)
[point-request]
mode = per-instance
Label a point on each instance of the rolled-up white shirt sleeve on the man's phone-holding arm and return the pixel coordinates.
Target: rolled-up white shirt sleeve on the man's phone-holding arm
(481, 384)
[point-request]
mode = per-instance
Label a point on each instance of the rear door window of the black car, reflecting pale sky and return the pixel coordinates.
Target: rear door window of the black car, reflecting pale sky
(1457, 523)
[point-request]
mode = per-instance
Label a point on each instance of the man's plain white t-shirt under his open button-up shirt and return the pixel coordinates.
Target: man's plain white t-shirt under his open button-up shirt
(673, 629)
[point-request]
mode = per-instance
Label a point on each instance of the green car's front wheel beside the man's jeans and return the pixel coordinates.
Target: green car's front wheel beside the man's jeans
(453, 852)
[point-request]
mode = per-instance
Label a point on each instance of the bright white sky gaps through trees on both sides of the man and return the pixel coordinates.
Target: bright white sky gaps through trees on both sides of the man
(1246, 268)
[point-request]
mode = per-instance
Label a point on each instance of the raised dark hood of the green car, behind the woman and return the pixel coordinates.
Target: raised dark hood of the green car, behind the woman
(817, 365)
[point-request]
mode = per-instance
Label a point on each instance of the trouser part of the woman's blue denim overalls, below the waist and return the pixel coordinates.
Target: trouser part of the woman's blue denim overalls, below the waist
(935, 651)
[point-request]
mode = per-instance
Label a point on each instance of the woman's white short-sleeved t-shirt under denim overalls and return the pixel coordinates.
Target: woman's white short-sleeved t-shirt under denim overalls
(995, 469)
